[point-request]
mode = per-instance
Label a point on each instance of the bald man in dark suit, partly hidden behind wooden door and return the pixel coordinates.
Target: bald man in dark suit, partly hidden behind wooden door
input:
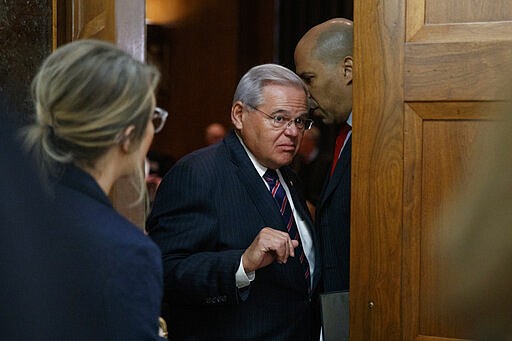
(323, 59)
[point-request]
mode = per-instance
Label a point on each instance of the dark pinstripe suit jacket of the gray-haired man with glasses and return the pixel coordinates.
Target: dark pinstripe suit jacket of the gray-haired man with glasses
(207, 211)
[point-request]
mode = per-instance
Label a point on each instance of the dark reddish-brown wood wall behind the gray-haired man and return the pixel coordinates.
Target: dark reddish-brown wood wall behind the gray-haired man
(202, 56)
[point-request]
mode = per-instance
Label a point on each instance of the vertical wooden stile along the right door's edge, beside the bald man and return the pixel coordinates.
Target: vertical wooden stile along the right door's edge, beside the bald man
(377, 170)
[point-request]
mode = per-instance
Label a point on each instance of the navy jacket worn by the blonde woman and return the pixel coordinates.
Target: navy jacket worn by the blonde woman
(114, 271)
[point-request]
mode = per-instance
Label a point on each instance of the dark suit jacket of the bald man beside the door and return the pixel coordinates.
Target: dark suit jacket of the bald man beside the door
(333, 224)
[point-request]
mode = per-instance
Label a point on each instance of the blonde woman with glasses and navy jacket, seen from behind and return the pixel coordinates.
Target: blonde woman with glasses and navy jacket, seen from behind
(95, 120)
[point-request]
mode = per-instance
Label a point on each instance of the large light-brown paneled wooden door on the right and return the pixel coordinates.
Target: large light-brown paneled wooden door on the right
(425, 80)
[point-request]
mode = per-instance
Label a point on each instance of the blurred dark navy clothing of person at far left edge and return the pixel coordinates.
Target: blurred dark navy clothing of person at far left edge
(27, 307)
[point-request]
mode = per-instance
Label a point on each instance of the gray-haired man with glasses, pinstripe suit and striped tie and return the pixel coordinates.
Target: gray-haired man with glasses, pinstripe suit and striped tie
(232, 270)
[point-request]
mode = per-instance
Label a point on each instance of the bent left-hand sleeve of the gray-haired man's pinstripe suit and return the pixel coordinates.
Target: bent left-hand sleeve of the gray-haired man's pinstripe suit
(184, 223)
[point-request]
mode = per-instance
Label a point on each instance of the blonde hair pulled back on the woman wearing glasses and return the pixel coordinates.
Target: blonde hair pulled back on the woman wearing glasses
(86, 94)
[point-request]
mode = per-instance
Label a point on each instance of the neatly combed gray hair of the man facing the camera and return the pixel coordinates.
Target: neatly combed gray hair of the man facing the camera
(250, 88)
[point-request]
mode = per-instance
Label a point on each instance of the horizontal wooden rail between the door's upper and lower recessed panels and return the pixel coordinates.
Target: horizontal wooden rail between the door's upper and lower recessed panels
(455, 71)
